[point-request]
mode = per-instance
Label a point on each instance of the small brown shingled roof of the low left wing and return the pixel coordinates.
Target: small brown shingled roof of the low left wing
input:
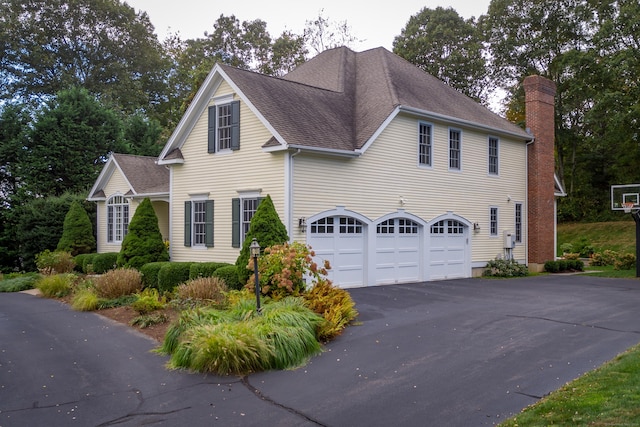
(143, 173)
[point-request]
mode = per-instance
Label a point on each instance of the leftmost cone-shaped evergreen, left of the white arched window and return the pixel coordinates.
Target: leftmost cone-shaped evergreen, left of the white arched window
(77, 232)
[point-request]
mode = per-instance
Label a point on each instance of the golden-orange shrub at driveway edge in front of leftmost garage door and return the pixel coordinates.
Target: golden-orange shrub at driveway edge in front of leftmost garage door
(335, 305)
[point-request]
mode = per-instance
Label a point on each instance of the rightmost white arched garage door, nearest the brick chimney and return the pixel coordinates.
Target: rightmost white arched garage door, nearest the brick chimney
(448, 250)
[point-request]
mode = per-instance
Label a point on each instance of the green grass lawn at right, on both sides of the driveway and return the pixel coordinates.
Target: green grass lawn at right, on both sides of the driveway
(609, 395)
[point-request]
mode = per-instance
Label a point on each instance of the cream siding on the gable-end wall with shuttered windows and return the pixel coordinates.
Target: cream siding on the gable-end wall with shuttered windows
(221, 177)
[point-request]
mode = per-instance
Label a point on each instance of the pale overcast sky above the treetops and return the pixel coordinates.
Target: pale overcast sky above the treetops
(375, 24)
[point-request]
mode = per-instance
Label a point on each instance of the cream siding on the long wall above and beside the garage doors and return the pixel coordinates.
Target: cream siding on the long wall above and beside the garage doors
(373, 184)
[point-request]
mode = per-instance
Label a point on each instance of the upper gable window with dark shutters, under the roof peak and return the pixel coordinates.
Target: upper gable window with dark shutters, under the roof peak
(224, 127)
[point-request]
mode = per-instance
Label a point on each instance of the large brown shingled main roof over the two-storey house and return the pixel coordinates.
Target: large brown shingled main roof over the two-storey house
(339, 99)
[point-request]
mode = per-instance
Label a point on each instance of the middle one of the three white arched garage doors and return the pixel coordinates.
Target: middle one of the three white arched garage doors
(397, 251)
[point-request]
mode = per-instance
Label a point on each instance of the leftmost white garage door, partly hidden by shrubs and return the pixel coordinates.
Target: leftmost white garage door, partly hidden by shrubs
(340, 240)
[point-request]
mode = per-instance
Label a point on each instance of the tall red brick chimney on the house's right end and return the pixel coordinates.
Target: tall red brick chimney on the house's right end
(540, 114)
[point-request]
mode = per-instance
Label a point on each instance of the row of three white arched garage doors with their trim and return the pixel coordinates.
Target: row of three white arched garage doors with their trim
(396, 248)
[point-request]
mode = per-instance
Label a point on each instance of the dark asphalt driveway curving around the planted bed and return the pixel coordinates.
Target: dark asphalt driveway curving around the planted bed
(466, 352)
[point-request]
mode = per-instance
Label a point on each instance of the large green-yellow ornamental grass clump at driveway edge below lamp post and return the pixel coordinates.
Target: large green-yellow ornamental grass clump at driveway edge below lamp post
(239, 340)
